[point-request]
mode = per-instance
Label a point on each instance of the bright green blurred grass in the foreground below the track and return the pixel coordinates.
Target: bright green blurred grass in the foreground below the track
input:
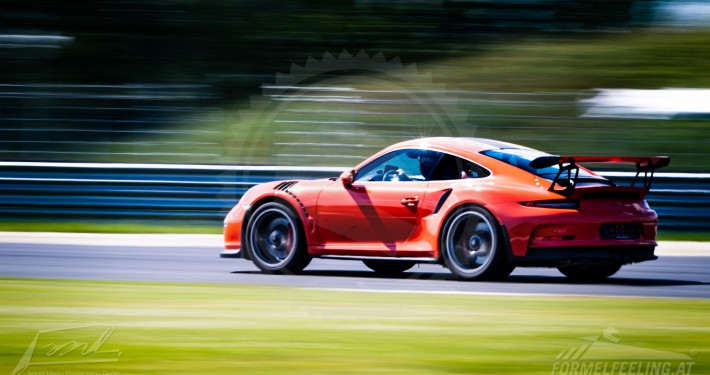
(231, 329)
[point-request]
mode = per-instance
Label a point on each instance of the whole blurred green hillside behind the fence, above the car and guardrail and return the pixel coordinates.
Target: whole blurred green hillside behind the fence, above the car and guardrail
(497, 91)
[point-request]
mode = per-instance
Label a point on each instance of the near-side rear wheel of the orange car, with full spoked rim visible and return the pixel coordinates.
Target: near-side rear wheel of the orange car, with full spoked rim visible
(472, 245)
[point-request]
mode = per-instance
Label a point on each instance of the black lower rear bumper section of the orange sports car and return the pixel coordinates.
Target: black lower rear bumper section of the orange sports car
(563, 256)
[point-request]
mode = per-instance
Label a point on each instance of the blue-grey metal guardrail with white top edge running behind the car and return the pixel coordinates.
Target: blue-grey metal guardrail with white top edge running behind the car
(202, 194)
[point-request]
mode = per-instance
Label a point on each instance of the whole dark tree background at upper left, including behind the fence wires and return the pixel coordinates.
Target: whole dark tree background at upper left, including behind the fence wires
(229, 46)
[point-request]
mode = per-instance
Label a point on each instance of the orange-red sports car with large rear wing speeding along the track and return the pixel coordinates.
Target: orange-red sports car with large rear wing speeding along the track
(479, 207)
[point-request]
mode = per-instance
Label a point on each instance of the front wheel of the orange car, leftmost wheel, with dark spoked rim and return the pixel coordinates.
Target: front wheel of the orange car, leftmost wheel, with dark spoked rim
(276, 241)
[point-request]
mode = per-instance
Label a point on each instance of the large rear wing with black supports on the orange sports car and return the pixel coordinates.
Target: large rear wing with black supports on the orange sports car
(569, 170)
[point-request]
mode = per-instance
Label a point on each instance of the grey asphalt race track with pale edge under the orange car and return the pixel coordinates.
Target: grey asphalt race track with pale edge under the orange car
(133, 258)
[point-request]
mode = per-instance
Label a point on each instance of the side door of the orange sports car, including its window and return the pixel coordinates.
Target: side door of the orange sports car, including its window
(380, 209)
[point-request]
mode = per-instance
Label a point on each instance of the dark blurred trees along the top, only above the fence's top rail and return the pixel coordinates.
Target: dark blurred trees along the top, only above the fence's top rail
(191, 40)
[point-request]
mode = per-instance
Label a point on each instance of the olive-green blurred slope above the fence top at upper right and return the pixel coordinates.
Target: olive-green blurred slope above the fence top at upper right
(642, 59)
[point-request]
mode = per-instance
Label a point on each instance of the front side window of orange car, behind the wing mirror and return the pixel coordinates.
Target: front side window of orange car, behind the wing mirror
(401, 165)
